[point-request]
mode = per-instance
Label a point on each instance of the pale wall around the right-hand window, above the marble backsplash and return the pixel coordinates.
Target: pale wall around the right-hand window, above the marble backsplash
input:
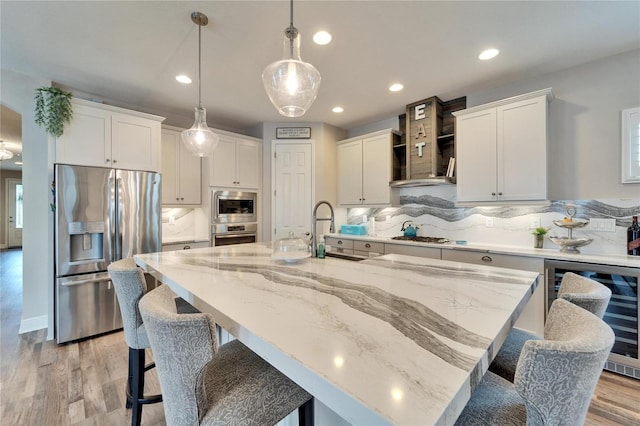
(584, 118)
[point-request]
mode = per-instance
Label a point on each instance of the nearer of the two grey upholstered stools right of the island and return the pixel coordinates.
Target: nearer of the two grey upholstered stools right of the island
(555, 377)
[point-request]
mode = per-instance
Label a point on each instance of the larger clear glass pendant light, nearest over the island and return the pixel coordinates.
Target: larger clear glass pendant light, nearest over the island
(291, 84)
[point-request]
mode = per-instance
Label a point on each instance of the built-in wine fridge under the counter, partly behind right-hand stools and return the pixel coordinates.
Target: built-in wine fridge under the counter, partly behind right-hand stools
(621, 314)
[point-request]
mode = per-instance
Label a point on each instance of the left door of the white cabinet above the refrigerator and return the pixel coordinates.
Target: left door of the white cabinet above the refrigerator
(87, 139)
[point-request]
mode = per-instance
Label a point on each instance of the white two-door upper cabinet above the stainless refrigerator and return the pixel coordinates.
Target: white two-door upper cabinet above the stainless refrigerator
(106, 136)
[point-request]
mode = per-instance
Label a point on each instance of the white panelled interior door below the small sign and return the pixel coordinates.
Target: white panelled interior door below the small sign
(292, 198)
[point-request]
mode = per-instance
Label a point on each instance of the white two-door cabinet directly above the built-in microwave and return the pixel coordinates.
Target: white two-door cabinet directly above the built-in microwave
(235, 163)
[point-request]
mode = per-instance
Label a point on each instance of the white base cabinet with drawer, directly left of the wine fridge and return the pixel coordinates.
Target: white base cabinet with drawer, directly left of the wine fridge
(532, 318)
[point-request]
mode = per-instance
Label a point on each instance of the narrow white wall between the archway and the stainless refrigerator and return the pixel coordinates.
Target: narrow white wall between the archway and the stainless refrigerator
(37, 237)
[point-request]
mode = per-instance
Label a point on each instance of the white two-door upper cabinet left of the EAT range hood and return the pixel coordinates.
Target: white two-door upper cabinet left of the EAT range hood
(365, 168)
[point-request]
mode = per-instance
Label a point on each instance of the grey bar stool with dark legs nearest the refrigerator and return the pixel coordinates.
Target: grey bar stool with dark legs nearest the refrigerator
(130, 286)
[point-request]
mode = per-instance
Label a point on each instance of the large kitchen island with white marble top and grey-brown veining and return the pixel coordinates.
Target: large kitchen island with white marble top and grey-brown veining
(390, 340)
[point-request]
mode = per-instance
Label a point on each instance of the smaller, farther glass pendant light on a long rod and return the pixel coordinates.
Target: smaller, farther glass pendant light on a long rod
(199, 139)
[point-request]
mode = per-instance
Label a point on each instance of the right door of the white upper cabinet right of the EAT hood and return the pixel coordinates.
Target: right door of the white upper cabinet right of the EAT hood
(522, 150)
